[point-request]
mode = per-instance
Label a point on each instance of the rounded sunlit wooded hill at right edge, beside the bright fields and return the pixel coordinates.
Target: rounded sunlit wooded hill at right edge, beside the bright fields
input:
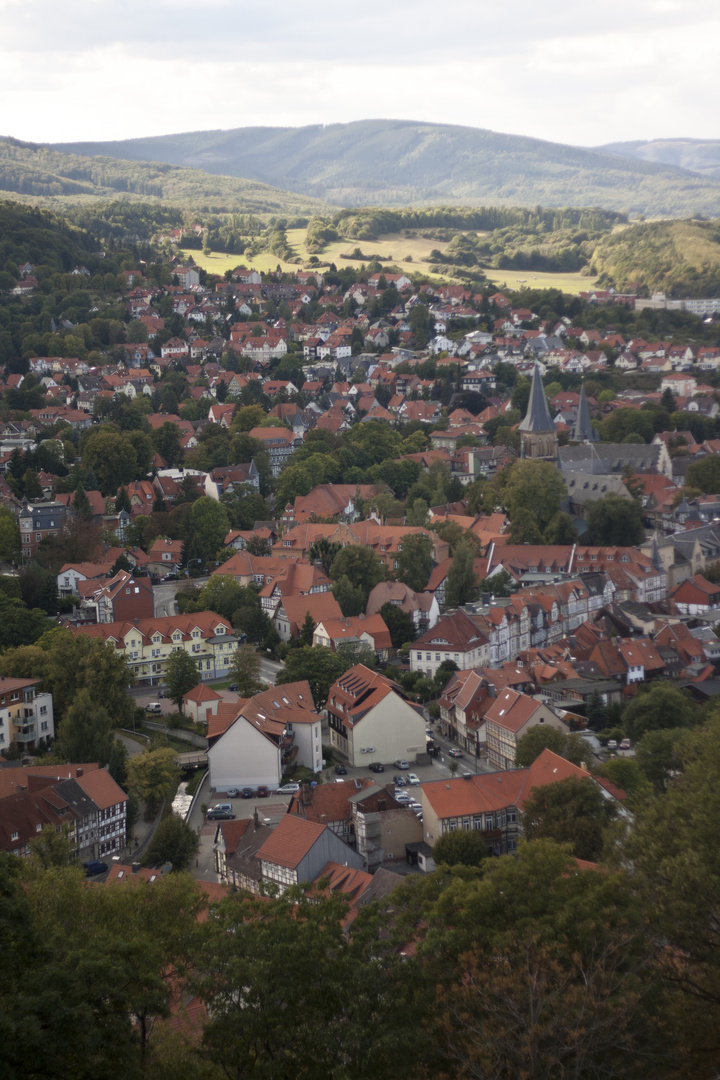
(681, 259)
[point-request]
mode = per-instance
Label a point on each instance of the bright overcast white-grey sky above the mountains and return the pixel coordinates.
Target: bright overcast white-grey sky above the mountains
(570, 73)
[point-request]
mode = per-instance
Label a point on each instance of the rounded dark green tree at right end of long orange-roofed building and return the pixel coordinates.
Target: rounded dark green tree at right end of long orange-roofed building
(570, 812)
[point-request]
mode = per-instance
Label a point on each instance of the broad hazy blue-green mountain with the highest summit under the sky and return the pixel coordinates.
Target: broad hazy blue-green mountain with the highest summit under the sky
(397, 163)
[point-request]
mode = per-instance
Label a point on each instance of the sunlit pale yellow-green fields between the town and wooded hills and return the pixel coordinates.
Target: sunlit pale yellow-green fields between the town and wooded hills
(409, 252)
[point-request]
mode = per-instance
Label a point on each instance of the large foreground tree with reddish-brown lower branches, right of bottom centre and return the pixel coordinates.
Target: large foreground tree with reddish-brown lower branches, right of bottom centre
(540, 971)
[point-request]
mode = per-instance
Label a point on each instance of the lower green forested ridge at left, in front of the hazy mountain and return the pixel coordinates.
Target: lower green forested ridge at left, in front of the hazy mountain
(48, 178)
